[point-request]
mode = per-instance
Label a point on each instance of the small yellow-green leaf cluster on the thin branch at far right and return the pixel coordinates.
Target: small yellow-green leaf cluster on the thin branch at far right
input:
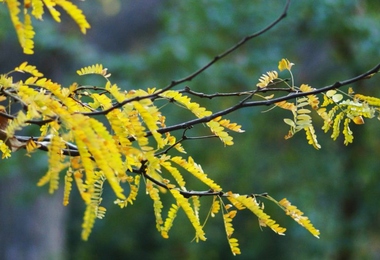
(334, 110)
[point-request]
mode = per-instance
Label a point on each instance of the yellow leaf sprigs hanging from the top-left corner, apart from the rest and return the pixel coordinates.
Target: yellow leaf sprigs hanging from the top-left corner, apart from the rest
(21, 13)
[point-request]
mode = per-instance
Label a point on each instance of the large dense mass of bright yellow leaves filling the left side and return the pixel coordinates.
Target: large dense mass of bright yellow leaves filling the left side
(112, 151)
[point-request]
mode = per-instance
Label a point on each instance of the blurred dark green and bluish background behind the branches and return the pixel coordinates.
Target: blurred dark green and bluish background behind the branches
(148, 43)
